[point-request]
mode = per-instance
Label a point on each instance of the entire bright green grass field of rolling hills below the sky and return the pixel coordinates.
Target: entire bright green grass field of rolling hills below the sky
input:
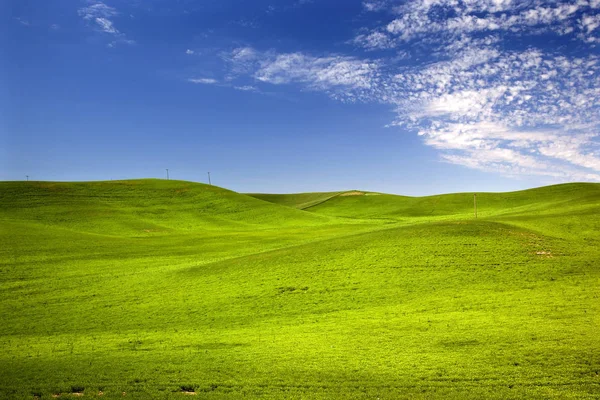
(166, 289)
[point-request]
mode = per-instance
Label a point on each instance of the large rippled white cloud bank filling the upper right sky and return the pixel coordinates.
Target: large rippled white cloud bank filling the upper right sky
(523, 111)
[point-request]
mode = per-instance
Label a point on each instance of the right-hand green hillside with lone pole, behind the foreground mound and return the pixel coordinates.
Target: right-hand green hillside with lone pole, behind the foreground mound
(566, 210)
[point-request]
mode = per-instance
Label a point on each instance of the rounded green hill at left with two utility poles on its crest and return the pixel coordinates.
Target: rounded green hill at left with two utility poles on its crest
(142, 206)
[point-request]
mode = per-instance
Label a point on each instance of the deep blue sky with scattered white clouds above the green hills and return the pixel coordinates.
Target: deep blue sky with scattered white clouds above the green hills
(410, 97)
